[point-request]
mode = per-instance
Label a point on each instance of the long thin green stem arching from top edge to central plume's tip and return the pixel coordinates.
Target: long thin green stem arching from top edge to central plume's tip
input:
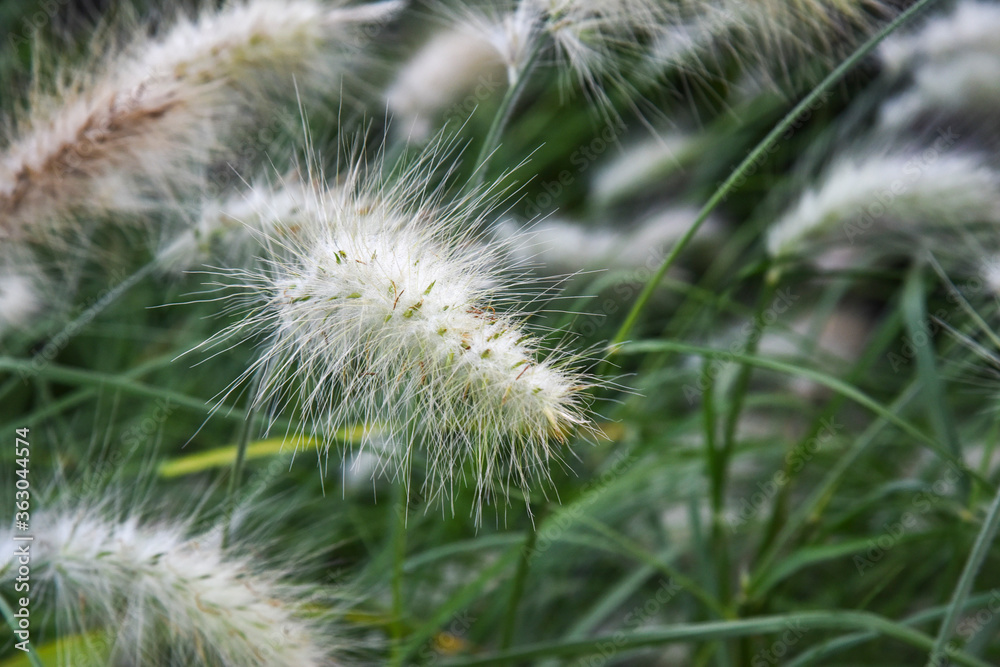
(765, 145)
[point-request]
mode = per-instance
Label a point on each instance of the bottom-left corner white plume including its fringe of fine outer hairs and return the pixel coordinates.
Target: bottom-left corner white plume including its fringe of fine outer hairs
(126, 583)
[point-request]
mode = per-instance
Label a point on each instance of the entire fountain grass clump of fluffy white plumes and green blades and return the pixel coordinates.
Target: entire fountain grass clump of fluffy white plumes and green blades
(394, 303)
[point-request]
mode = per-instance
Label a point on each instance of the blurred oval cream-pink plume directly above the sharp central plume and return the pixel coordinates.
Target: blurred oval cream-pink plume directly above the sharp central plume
(455, 63)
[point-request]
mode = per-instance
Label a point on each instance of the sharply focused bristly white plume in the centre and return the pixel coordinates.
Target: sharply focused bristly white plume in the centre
(385, 313)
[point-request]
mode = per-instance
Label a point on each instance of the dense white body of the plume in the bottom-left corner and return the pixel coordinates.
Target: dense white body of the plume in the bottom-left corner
(159, 596)
